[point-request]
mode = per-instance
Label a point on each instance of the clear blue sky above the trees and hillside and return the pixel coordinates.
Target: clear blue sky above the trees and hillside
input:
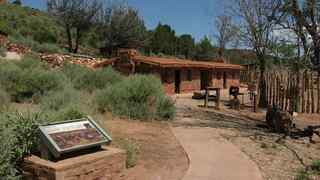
(193, 17)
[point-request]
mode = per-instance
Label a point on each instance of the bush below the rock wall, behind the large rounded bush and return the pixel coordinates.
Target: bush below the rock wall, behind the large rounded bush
(90, 80)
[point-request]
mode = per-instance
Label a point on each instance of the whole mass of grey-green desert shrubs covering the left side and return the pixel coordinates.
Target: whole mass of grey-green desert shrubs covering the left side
(71, 92)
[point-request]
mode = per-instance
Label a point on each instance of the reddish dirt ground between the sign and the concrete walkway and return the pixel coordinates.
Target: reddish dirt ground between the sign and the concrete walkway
(161, 157)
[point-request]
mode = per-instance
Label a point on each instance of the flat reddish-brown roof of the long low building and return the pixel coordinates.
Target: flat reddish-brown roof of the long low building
(179, 63)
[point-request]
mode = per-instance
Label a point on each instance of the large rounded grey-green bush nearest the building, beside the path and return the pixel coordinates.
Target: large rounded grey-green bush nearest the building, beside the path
(137, 97)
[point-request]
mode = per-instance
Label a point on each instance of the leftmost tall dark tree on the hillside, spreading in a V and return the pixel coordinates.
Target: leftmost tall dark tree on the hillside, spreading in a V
(77, 17)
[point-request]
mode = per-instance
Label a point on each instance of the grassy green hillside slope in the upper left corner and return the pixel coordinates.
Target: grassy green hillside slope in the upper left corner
(24, 22)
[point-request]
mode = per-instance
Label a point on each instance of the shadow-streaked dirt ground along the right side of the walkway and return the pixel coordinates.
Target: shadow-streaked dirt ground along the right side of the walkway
(277, 158)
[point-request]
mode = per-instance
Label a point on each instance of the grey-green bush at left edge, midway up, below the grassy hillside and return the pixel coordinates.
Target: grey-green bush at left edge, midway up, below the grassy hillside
(26, 80)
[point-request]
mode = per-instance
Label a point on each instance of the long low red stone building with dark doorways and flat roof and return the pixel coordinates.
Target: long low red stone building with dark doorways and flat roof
(177, 75)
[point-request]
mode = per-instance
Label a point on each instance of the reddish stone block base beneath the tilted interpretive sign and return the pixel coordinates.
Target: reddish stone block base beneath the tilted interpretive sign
(103, 165)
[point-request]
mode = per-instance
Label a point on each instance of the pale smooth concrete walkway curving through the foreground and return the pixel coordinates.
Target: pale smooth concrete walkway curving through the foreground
(214, 158)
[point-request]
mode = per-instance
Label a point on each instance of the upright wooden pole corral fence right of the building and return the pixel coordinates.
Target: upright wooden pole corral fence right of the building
(290, 91)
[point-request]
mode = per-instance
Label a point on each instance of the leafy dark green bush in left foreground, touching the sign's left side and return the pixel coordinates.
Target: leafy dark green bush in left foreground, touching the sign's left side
(18, 137)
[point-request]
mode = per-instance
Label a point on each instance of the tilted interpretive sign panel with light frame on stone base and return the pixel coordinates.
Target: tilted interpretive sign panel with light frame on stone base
(73, 136)
